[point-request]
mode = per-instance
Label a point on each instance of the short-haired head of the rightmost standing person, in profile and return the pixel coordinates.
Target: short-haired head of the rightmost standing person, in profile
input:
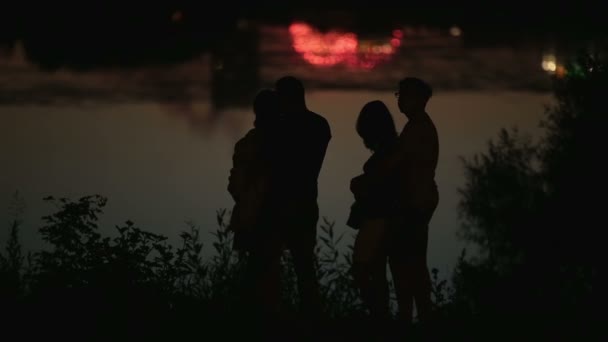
(413, 96)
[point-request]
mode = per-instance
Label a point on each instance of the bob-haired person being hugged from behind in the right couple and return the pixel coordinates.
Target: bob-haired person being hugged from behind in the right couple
(371, 212)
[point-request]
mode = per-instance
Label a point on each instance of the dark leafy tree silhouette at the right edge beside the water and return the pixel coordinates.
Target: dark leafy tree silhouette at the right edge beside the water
(533, 209)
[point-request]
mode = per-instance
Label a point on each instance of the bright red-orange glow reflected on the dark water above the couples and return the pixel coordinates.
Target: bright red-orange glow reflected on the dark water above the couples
(333, 48)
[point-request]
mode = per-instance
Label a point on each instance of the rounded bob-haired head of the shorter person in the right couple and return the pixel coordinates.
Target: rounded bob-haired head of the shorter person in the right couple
(375, 125)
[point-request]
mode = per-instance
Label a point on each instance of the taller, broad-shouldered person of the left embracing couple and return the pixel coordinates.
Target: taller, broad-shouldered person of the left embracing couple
(300, 154)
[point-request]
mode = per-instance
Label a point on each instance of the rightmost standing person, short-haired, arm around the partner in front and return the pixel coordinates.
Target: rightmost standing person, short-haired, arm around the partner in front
(414, 163)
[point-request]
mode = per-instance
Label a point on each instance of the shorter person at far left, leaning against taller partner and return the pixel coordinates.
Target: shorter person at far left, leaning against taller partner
(249, 185)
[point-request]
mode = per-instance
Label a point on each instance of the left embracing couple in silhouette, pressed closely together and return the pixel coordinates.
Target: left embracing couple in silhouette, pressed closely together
(274, 184)
